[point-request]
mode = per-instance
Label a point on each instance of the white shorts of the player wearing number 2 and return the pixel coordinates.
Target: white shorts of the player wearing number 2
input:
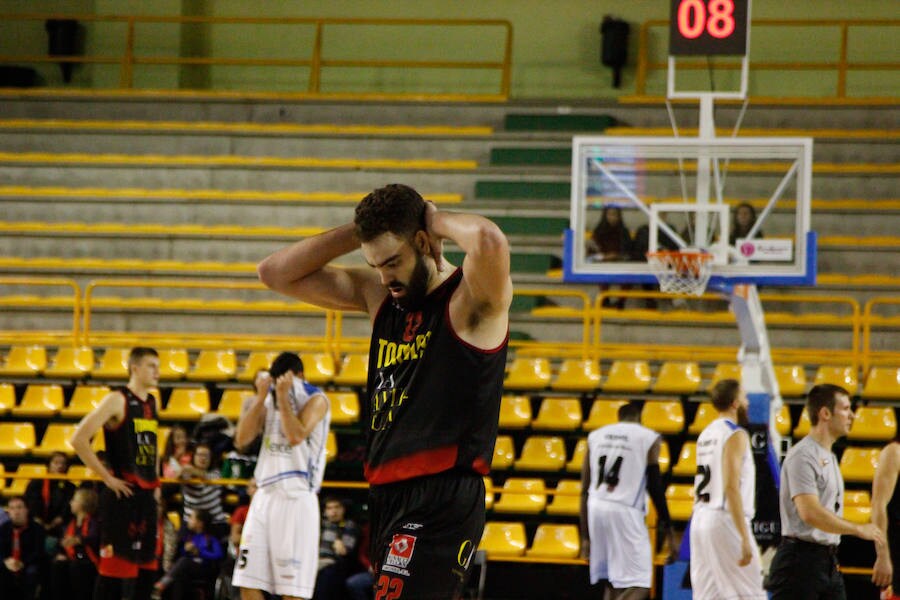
(715, 552)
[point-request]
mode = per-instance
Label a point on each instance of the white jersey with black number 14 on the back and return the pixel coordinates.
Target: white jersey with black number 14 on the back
(618, 461)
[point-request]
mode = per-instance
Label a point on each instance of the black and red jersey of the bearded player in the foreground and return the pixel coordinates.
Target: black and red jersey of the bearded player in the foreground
(433, 400)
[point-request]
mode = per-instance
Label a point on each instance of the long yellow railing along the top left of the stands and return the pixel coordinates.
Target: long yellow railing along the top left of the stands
(316, 61)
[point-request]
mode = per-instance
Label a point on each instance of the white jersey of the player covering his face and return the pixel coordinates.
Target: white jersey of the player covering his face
(299, 468)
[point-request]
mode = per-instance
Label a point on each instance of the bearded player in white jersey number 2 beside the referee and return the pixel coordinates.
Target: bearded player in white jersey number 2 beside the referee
(724, 556)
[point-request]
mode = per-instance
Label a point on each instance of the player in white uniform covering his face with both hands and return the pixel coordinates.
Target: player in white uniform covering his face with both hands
(279, 547)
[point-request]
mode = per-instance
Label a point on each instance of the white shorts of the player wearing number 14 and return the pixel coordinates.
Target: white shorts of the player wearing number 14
(620, 545)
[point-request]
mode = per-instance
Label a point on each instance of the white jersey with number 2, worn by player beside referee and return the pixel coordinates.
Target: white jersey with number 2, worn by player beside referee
(709, 483)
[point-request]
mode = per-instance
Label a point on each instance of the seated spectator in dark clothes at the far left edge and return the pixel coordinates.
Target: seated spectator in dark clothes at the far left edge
(21, 552)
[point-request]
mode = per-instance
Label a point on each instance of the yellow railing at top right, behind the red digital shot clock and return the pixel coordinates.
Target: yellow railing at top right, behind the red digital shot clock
(841, 63)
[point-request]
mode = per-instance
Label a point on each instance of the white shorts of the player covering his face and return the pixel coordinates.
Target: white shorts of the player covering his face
(279, 550)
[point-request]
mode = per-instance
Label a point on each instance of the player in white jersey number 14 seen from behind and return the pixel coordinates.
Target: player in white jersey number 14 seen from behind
(622, 460)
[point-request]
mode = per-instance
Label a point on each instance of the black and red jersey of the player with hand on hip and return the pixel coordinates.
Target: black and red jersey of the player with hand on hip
(131, 450)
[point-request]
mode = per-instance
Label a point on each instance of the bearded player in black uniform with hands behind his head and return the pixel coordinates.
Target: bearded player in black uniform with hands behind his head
(436, 365)
